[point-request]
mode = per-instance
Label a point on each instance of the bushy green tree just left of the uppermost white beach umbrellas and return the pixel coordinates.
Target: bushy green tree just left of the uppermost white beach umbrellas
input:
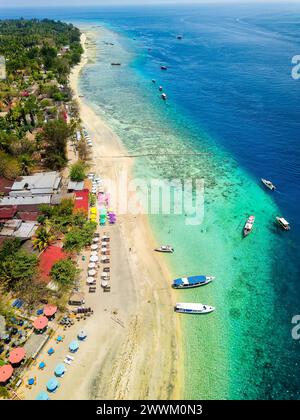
(78, 238)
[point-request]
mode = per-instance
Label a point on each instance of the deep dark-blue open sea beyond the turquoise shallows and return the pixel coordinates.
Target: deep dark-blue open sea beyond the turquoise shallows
(230, 76)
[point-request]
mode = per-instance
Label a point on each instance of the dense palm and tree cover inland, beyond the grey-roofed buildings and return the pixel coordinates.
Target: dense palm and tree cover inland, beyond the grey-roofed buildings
(33, 97)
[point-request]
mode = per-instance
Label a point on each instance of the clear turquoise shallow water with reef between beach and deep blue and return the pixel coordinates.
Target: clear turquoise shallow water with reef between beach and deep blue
(224, 352)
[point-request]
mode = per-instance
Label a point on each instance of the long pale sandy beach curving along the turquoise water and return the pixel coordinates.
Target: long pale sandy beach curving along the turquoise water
(133, 345)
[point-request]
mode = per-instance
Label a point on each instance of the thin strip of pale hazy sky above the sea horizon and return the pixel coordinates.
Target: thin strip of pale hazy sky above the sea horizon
(39, 3)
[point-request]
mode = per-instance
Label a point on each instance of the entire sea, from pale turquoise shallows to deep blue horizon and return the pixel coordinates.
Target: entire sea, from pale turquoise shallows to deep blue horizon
(233, 102)
